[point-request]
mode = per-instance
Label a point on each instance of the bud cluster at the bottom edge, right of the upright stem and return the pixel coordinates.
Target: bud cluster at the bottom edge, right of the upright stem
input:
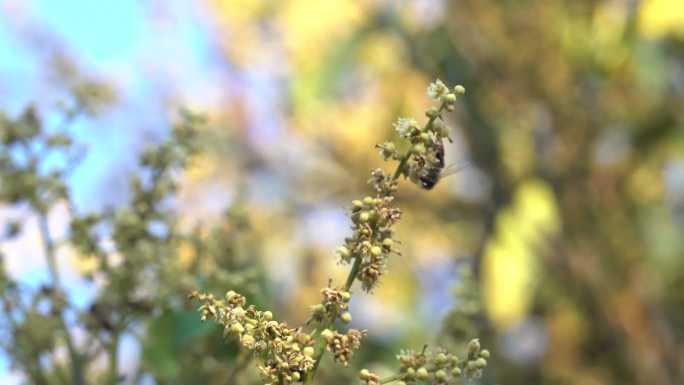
(442, 367)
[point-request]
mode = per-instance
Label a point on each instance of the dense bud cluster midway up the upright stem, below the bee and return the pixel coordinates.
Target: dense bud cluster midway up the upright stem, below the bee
(371, 242)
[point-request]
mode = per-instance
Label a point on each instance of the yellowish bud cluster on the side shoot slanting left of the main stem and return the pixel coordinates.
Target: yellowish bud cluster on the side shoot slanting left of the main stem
(289, 352)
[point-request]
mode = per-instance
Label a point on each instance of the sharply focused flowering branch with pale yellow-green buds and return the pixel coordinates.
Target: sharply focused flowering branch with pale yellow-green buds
(289, 354)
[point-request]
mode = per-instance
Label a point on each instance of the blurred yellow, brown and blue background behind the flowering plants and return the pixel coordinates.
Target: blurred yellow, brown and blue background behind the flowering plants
(569, 211)
